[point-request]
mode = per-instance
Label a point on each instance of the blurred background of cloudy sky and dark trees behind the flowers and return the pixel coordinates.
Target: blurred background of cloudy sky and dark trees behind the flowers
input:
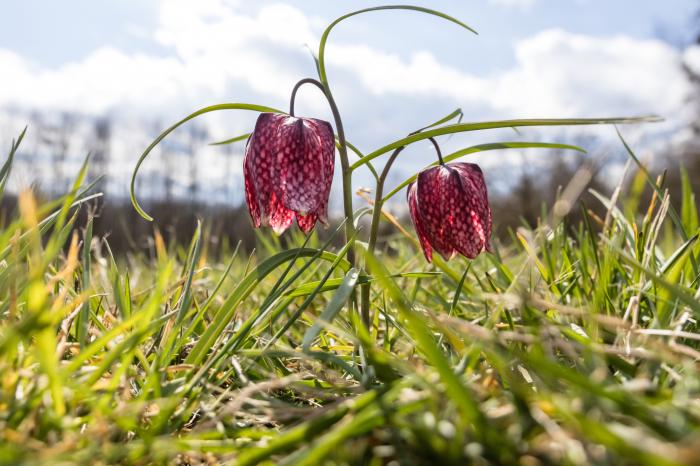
(106, 78)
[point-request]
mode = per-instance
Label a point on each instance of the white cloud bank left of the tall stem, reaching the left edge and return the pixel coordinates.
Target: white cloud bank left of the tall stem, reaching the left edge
(216, 53)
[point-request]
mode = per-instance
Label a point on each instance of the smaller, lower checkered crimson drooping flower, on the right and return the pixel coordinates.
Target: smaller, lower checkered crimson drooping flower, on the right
(450, 210)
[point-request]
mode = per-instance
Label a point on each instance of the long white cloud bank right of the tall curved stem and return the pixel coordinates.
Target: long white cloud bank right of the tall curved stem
(556, 74)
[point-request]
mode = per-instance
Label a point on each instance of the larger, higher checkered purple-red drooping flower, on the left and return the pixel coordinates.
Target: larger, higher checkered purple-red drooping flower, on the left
(288, 171)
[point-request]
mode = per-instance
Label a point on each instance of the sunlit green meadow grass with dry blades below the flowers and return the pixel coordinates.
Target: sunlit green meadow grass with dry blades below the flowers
(573, 344)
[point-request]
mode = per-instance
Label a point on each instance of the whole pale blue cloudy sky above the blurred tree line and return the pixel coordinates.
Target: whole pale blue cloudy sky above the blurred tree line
(391, 72)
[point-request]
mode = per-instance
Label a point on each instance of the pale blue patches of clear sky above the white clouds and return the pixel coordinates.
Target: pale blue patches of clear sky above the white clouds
(51, 33)
